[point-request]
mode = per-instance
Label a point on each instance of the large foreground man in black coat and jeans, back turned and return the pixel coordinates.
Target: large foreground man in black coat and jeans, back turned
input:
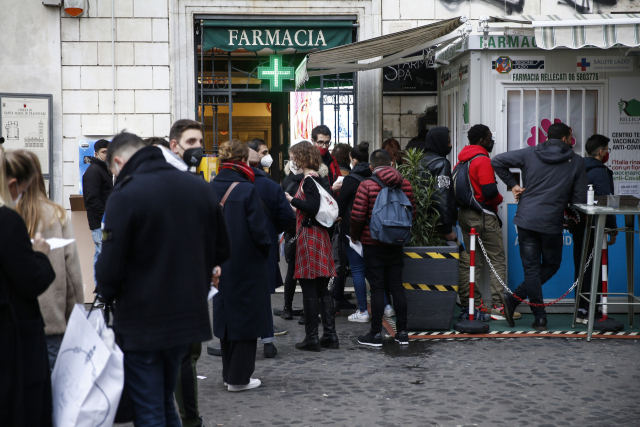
(163, 235)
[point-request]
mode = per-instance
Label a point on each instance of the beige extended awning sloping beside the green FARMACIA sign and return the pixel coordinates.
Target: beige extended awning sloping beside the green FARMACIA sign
(394, 49)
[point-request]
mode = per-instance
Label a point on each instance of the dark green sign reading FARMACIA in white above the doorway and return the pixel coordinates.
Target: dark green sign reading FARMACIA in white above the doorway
(253, 35)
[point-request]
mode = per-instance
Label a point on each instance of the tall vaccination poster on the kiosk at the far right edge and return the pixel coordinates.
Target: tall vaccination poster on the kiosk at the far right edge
(624, 129)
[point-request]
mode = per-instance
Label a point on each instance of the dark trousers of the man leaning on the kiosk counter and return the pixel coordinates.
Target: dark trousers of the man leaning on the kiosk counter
(541, 256)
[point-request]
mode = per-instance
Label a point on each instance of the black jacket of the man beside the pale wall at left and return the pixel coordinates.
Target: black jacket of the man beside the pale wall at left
(97, 183)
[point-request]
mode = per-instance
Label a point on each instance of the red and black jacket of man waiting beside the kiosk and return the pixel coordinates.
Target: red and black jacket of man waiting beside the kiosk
(482, 176)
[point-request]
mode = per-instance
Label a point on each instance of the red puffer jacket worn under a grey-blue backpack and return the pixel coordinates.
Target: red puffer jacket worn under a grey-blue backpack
(366, 199)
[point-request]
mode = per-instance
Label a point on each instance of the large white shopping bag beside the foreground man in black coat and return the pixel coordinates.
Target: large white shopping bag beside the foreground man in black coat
(88, 376)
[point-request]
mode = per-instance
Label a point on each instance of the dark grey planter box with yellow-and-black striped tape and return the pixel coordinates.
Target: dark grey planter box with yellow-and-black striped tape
(430, 278)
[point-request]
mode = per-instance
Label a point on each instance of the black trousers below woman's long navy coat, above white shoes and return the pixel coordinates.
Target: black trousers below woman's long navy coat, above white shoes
(238, 361)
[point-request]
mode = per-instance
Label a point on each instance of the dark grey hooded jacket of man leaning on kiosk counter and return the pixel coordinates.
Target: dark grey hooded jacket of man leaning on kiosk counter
(552, 175)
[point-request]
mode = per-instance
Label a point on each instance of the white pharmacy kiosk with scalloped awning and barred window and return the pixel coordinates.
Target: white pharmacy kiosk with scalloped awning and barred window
(520, 81)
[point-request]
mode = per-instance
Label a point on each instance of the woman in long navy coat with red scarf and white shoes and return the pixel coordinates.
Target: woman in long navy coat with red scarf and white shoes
(241, 307)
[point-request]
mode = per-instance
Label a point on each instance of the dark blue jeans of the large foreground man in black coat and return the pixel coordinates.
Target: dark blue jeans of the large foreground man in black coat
(150, 377)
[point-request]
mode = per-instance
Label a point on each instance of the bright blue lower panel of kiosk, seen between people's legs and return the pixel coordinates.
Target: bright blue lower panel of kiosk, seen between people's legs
(562, 281)
